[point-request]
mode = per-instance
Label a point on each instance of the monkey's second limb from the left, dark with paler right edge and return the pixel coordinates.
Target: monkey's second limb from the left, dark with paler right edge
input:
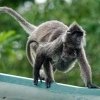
(49, 78)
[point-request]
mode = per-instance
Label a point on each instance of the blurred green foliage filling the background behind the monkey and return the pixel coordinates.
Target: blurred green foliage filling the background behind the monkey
(13, 59)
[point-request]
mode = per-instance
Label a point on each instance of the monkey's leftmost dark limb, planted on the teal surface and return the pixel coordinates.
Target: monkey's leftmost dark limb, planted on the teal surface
(40, 58)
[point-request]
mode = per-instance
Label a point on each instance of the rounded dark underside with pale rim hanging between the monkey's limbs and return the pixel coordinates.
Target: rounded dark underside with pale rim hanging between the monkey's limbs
(64, 66)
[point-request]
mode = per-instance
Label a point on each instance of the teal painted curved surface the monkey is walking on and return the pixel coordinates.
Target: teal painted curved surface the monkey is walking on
(21, 88)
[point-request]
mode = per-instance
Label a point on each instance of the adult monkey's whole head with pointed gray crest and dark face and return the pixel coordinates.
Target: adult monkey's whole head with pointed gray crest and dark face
(74, 37)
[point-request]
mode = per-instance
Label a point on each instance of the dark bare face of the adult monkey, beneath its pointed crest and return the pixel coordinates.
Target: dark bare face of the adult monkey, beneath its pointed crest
(74, 39)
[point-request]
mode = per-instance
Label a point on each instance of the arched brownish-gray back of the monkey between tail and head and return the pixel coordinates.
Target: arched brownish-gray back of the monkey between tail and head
(48, 31)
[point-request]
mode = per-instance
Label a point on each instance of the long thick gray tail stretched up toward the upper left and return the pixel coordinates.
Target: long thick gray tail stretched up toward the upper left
(29, 28)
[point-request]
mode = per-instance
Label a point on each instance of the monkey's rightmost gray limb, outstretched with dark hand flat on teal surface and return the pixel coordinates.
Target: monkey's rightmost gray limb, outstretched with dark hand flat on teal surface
(85, 69)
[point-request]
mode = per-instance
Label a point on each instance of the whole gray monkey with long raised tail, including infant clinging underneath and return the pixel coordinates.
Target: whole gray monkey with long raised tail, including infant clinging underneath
(54, 46)
